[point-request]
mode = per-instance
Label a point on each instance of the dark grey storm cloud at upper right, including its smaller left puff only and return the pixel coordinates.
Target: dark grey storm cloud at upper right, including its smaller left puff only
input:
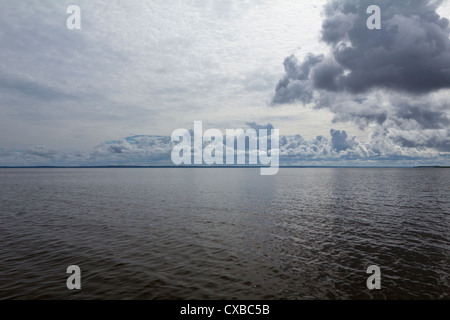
(411, 53)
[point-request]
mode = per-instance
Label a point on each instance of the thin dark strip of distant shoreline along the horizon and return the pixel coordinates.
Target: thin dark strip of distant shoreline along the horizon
(213, 167)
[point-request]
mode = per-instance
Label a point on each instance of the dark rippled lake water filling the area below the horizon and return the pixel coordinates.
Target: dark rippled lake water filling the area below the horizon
(171, 233)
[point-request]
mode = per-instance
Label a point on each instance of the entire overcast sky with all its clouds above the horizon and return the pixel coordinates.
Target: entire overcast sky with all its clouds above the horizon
(114, 91)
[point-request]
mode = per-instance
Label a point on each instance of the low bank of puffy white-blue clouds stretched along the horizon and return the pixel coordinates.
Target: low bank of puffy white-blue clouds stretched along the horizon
(335, 148)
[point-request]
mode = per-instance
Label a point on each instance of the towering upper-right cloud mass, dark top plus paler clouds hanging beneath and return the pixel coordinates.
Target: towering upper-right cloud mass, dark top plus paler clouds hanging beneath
(386, 77)
